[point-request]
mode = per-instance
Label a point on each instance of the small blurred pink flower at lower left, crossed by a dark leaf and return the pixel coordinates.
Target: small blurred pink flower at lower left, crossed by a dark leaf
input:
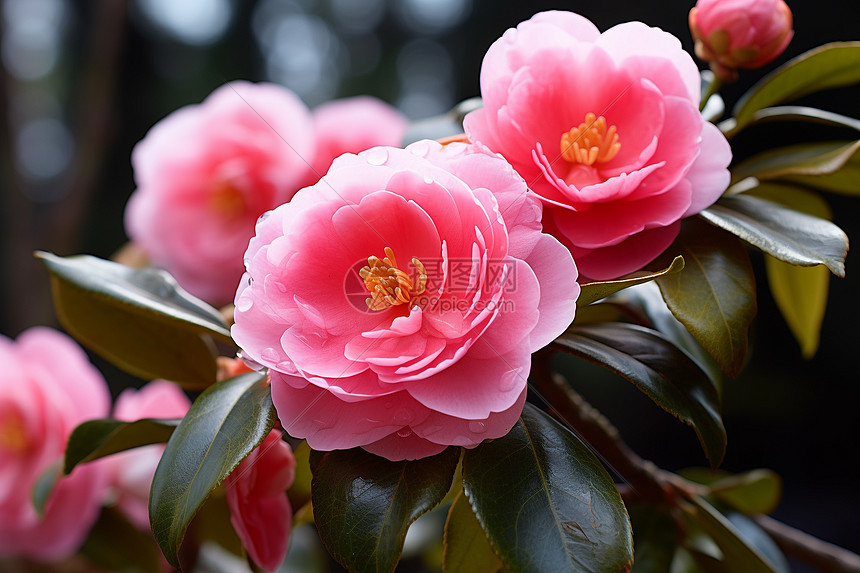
(133, 470)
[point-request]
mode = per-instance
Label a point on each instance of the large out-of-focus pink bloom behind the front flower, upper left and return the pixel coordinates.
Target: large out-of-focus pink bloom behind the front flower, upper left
(206, 172)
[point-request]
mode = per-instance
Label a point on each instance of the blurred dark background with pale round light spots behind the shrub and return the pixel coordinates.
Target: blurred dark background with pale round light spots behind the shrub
(83, 81)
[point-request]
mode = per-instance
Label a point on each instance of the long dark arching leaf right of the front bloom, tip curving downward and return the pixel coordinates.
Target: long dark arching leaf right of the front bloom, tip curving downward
(659, 369)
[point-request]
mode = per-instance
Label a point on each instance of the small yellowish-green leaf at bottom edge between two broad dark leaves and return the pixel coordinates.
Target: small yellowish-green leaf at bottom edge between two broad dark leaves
(467, 549)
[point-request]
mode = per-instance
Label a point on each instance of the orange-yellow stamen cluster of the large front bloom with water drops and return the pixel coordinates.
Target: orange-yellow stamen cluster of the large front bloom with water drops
(388, 285)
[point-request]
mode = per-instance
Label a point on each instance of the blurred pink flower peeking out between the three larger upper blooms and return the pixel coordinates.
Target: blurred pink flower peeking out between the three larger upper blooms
(351, 125)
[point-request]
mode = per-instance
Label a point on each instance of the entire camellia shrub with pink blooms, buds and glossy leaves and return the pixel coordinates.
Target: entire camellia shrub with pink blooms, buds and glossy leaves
(397, 303)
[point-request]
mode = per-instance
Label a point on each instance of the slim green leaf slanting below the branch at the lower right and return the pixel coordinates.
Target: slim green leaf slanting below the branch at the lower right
(738, 553)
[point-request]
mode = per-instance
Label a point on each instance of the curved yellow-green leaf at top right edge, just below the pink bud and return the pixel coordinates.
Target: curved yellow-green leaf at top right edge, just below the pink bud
(825, 67)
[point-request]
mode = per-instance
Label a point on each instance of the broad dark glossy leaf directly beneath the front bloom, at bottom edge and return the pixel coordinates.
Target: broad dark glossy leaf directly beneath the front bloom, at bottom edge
(546, 502)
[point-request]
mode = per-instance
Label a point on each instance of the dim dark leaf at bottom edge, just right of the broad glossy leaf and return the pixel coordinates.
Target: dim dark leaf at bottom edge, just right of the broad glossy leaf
(655, 538)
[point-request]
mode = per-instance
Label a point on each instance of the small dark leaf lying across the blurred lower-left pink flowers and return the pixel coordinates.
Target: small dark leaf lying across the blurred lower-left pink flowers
(96, 439)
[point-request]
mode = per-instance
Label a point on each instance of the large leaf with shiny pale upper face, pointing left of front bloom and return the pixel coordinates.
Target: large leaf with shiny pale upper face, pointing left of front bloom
(138, 319)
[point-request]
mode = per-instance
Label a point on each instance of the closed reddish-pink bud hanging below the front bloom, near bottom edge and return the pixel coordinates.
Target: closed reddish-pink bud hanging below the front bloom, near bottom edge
(259, 508)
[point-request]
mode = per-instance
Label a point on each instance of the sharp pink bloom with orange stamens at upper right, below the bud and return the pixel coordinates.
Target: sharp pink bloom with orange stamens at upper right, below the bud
(605, 129)
